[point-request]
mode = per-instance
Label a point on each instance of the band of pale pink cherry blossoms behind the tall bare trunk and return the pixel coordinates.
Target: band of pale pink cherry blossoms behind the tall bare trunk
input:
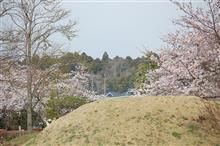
(13, 91)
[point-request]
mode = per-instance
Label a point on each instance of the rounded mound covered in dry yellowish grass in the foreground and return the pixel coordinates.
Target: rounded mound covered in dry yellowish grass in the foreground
(168, 121)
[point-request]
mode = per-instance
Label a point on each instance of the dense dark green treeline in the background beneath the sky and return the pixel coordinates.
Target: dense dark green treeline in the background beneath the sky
(107, 74)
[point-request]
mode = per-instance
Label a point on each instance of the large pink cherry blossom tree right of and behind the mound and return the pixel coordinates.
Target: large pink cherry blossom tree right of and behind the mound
(191, 63)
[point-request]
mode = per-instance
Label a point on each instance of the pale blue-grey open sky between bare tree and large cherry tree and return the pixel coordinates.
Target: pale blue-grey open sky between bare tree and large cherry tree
(123, 28)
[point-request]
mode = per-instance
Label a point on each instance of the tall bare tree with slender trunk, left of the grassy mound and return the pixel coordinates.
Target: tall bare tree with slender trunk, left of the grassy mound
(33, 24)
